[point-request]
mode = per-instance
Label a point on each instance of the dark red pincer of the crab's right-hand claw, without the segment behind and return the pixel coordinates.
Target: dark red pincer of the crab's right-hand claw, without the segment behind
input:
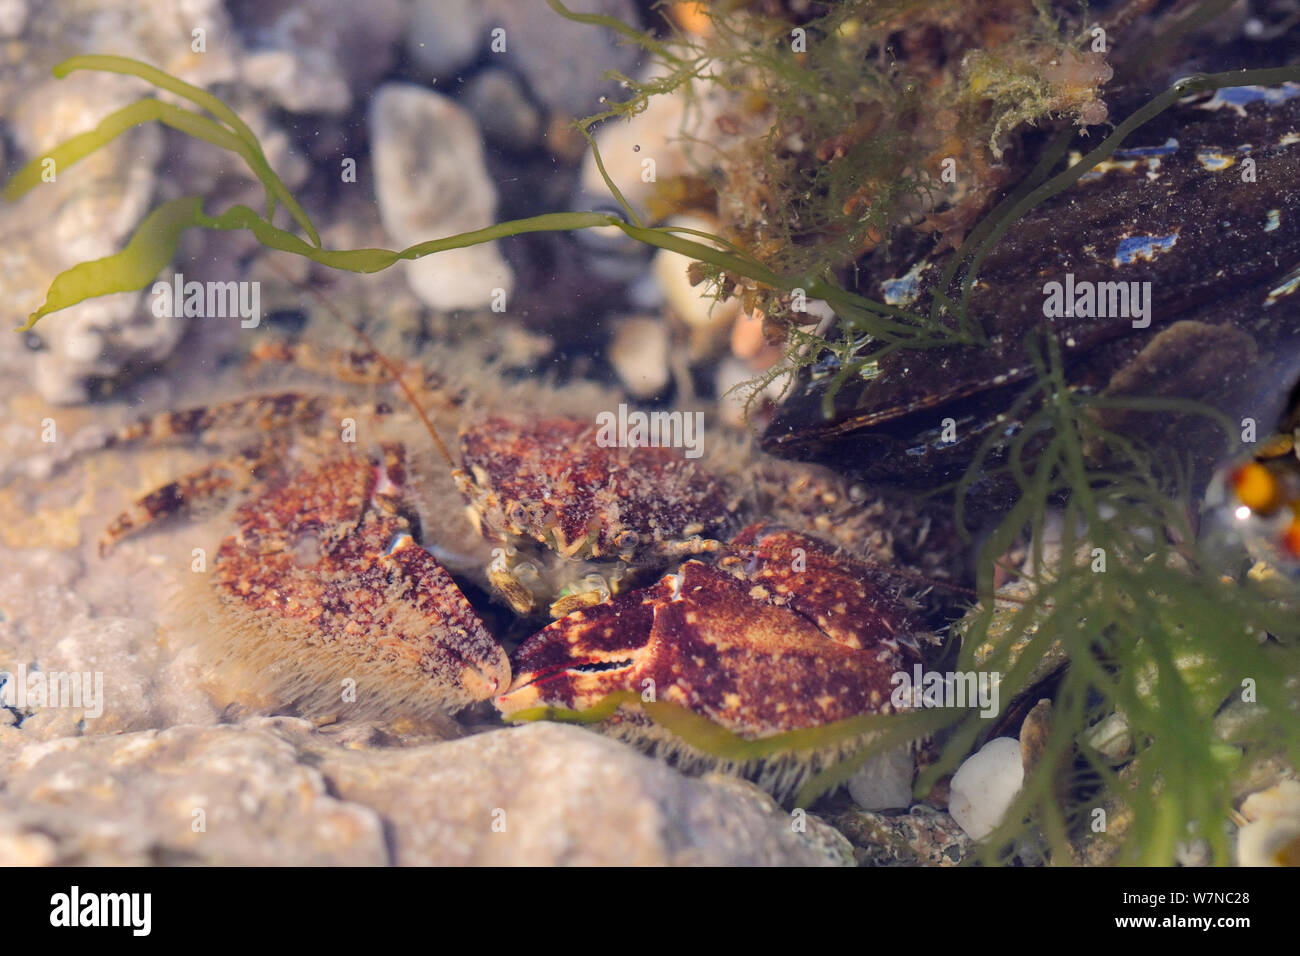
(707, 642)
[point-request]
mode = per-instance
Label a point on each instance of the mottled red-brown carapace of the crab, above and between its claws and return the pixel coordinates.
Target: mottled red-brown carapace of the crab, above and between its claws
(551, 481)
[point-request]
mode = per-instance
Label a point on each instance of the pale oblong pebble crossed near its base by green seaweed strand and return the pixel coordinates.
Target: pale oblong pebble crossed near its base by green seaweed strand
(431, 181)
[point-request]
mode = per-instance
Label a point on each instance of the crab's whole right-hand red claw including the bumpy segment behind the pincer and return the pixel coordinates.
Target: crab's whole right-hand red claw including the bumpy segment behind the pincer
(759, 659)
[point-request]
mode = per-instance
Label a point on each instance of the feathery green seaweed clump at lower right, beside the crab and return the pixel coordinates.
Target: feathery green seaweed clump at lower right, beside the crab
(1154, 629)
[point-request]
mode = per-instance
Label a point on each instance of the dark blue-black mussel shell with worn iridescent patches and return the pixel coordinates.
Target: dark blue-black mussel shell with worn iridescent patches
(1173, 209)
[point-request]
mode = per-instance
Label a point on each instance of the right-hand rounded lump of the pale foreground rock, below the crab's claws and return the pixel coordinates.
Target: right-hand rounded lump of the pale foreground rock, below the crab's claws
(562, 795)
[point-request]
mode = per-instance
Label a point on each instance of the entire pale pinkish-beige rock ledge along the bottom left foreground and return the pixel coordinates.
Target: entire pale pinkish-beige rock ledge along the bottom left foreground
(278, 791)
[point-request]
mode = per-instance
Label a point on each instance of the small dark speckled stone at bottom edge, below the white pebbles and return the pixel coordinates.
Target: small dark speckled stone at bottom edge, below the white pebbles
(924, 837)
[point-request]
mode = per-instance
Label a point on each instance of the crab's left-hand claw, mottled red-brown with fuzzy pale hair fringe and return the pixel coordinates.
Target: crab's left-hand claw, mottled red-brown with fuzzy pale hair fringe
(323, 582)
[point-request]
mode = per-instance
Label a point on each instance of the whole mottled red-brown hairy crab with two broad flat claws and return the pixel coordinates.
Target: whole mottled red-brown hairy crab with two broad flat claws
(328, 599)
